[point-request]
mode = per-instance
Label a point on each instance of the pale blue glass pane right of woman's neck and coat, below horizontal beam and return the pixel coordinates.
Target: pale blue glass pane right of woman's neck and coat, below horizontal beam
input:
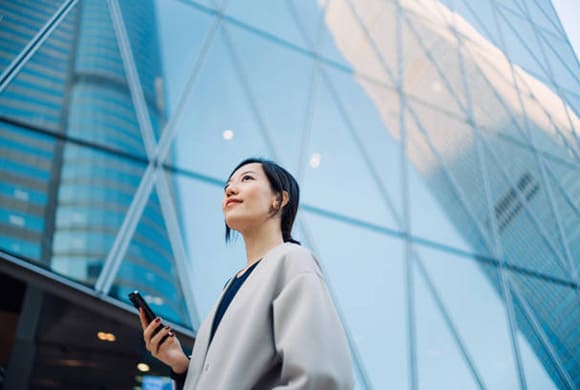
(370, 293)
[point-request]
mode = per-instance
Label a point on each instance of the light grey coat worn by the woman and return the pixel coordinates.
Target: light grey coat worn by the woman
(280, 331)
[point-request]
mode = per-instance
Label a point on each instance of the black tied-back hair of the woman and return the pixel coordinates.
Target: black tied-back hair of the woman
(280, 180)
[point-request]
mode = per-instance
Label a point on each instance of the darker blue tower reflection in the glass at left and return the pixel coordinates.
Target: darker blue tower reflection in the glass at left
(65, 118)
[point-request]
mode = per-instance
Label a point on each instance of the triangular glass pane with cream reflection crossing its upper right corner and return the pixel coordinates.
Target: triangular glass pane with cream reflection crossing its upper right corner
(371, 112)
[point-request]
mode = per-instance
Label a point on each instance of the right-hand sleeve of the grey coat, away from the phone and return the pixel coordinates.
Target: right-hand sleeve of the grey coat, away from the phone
(309, 337)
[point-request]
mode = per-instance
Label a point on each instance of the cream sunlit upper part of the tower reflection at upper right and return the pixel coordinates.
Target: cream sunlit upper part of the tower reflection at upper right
(429, 26)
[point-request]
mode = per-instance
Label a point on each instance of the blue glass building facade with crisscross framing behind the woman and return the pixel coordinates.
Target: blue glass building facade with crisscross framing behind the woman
(436, 144)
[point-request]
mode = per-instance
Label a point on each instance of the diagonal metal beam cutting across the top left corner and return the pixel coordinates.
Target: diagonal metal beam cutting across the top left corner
(34, 44)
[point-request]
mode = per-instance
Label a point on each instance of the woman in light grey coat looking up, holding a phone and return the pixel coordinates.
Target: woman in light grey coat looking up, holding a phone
(275, 325)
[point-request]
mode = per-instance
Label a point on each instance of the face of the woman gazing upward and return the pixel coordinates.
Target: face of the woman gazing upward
(248, 198)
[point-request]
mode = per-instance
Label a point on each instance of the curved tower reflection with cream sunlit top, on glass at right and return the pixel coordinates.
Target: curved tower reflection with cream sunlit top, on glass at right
(490, 139)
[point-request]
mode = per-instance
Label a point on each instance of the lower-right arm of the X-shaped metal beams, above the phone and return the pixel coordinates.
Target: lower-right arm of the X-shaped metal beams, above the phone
(179, 252)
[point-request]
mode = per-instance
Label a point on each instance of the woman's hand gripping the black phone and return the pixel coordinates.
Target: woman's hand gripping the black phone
(164, 346)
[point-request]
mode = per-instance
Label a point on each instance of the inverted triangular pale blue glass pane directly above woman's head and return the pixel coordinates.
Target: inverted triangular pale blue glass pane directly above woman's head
(282, 84)
